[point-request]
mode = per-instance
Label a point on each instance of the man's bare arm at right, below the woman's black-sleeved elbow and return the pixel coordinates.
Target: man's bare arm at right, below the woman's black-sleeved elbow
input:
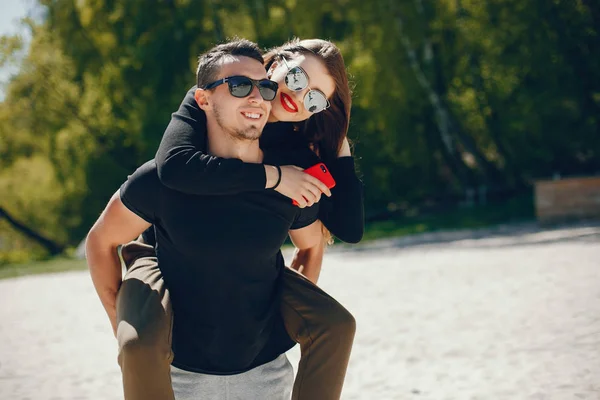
(310, 247)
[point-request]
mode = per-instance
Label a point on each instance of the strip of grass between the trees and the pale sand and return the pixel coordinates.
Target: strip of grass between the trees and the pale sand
(515, 210)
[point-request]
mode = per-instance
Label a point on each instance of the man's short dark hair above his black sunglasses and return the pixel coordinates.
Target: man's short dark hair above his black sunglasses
(210, 62)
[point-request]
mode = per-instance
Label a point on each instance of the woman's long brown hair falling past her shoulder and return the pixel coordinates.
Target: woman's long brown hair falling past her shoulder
(326, 130)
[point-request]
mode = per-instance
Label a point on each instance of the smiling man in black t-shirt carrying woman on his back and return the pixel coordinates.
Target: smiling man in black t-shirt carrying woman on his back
(219, 255)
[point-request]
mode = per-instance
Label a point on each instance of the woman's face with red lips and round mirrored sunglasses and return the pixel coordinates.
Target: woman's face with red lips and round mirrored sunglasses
(288, 105)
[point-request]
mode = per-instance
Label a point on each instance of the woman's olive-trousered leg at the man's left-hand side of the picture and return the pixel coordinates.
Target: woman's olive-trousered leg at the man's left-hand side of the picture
(144, 325)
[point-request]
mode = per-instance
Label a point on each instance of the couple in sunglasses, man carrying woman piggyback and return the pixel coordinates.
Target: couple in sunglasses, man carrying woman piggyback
(215, 320)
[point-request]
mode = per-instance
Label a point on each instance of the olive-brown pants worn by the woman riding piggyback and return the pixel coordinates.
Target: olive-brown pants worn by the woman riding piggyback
(323, 328)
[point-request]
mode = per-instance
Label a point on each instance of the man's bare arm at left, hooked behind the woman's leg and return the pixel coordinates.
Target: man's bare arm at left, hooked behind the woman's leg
(116, 225)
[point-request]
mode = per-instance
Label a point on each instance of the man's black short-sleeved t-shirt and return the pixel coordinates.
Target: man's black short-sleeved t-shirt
(221, 260)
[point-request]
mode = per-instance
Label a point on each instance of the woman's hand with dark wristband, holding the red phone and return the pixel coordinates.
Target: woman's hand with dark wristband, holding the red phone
(297, 185)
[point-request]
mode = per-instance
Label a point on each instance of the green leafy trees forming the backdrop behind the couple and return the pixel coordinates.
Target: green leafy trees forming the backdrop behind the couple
(448, 94)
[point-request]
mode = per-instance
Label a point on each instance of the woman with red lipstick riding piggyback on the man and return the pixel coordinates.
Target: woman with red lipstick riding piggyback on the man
(314, 101)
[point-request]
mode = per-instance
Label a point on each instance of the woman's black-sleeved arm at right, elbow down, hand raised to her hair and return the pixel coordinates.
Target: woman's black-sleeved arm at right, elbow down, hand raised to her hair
(343, 213)
